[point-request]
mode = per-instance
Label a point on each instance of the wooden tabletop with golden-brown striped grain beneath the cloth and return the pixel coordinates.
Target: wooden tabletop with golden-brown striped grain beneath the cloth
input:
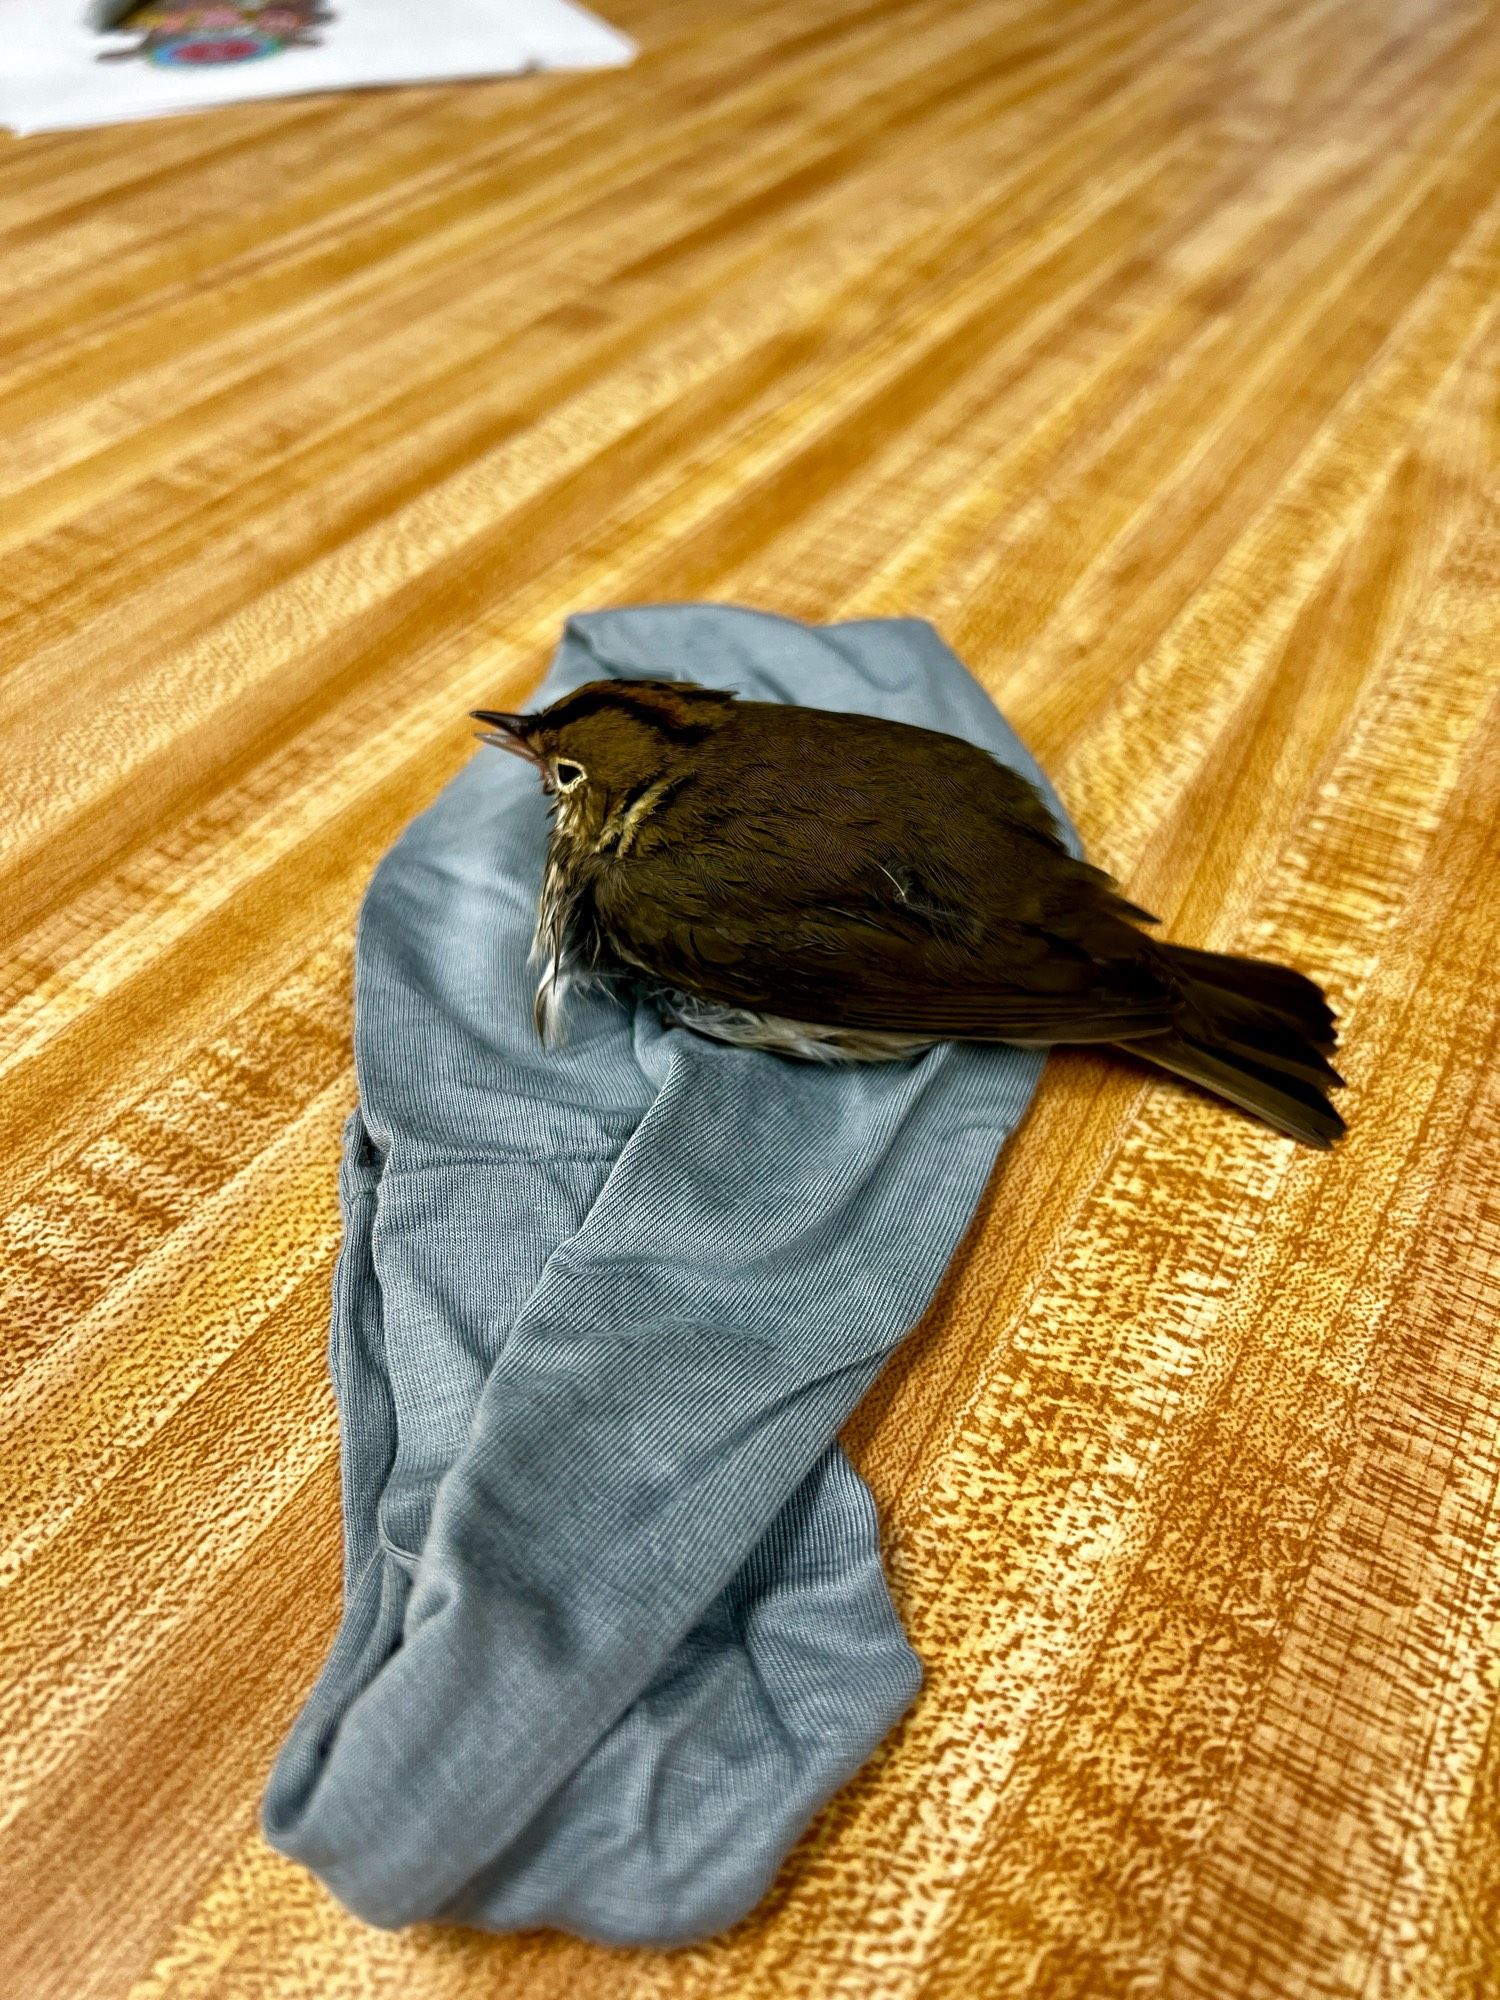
(1149, 347)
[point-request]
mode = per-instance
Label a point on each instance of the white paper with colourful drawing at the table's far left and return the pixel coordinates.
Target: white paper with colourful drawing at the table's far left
(199, 55)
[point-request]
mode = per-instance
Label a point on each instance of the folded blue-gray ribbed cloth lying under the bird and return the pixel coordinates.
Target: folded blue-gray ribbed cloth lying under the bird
(615, 1621)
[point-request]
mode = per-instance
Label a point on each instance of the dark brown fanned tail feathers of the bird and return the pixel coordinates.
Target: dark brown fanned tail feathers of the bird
(1253, 1033)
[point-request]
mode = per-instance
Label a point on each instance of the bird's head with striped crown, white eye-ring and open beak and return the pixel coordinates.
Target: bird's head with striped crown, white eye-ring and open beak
(611, 753)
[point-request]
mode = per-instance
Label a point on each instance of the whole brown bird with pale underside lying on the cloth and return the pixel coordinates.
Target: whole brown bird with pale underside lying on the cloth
(845, 889)
